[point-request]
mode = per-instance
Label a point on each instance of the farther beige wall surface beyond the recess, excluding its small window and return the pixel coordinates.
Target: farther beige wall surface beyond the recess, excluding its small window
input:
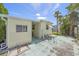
(40, 29)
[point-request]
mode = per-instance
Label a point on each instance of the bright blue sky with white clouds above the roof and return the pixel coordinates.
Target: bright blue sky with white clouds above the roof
(35, 11)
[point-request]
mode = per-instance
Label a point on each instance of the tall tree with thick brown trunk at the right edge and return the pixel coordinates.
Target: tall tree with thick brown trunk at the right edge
(73, 16)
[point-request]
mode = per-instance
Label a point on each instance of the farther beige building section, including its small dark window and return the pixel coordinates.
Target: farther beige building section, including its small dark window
(41, 28)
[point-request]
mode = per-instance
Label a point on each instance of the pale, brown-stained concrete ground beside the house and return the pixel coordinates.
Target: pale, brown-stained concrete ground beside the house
(58, 46)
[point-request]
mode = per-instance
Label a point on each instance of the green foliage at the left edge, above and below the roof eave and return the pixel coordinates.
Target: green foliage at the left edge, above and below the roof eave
(3, 10)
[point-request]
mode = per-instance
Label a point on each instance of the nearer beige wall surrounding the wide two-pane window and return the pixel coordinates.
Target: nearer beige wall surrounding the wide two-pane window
(18, 38)
